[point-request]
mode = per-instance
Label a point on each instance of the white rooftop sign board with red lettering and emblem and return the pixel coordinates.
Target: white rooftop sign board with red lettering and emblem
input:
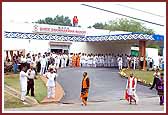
(59, 30)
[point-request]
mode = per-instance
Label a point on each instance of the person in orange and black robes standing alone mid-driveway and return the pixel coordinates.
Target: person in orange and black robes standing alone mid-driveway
(85, 88)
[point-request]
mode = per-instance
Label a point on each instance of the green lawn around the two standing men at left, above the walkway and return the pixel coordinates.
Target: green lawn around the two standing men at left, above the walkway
(40, 87)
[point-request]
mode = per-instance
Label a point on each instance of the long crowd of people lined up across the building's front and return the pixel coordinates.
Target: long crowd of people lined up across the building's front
(42, 61)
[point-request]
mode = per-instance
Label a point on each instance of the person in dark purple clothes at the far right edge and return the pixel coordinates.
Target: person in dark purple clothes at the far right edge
(160, 89)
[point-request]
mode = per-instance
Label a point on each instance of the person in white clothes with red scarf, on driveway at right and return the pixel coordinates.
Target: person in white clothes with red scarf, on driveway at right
(131, 89)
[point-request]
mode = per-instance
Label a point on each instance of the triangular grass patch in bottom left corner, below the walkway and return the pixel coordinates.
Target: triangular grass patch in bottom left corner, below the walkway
(12, 102)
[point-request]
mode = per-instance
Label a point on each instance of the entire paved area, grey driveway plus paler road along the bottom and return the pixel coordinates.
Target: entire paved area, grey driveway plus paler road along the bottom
(107, 88)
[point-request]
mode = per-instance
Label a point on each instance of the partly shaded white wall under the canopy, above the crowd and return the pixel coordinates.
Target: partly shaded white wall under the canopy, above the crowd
(101, 47)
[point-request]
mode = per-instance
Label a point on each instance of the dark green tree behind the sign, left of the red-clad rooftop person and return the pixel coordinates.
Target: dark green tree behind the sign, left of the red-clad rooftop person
(57, 20)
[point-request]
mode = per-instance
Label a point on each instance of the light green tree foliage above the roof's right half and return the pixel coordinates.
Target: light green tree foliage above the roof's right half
(124, 24)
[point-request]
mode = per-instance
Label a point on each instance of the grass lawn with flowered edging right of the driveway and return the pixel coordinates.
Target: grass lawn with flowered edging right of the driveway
(143, 75)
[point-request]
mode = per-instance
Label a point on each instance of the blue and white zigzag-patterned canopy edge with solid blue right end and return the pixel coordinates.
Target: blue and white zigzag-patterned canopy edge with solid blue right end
(39, 36)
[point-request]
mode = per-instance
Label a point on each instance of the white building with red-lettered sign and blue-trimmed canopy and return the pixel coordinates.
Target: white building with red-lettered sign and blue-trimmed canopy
(36, 38)
